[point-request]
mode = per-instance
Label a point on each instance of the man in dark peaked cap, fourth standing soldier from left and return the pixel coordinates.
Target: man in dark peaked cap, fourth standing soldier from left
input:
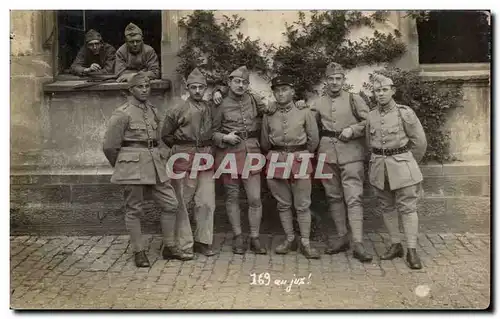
(290, 132)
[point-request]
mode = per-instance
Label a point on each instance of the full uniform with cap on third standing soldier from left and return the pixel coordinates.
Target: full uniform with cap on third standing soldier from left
(244, 115)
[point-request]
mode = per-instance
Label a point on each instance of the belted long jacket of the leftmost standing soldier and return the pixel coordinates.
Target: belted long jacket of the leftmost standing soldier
(134, 121)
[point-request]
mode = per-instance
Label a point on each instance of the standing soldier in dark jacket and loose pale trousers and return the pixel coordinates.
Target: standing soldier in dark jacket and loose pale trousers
(188, 127)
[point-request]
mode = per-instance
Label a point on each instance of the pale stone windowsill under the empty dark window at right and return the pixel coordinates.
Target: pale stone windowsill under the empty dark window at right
(456, 72)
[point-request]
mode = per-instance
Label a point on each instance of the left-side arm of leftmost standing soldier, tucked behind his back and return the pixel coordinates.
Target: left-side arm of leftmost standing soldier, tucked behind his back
(114, 135)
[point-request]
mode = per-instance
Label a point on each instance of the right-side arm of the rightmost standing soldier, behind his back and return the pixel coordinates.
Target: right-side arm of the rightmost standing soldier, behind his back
(414, 131)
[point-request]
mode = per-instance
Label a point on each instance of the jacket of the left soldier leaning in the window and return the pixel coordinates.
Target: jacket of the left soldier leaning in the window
(85, 58)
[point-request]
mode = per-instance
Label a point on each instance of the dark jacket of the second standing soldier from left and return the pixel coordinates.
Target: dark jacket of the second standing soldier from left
(188, 121)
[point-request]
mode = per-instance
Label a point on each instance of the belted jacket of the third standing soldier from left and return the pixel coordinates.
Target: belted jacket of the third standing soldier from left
(242, 114)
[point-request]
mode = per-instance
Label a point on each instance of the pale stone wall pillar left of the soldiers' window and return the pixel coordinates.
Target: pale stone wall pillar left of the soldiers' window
(31, 67)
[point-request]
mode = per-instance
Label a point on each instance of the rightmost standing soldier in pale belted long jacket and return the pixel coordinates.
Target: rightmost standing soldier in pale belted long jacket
(397, 141)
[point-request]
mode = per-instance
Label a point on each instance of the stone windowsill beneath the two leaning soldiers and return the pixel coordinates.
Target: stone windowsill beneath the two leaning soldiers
(71, 86)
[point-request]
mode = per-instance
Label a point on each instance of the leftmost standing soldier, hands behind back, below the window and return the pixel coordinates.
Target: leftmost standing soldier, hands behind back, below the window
(132, 146)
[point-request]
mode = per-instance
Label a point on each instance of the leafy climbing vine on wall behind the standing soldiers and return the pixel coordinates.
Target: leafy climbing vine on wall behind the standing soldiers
(217, 49)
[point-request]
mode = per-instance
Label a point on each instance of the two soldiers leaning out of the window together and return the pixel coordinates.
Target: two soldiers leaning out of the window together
(100, 58)
